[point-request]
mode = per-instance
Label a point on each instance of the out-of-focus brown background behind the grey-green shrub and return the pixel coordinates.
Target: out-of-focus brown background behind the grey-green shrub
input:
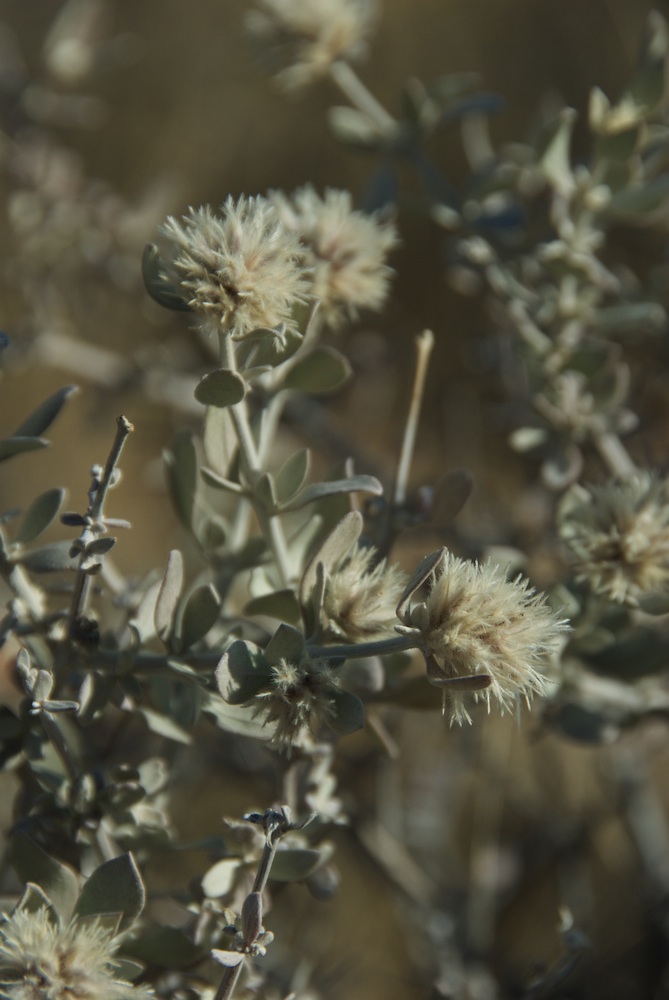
(497, 826)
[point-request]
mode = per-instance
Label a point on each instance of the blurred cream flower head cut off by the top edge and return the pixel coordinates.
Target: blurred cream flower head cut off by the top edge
(307, 36)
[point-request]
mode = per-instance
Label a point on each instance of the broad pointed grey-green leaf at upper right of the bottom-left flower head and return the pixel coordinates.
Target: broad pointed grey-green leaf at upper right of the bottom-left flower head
(114, 887)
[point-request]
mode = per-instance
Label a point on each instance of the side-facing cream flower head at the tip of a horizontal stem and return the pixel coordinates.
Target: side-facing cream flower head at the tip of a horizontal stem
(483, 635)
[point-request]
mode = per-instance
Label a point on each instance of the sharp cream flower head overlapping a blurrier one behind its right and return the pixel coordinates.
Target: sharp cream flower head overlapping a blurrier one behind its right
(241, 270)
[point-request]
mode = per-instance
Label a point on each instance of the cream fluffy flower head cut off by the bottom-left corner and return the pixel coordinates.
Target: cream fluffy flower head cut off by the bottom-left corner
(40, 959)
